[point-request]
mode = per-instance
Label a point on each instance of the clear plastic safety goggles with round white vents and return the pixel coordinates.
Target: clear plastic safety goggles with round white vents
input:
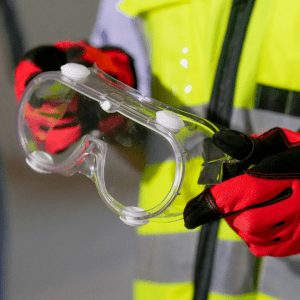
(140, 153)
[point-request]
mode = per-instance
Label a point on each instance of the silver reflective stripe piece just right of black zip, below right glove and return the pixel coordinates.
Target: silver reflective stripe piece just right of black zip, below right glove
(233, 270)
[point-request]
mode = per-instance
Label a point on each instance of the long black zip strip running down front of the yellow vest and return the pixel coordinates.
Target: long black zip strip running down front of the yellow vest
(219, 112)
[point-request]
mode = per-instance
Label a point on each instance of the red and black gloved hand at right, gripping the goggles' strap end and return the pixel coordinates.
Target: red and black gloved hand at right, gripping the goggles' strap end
(260, 203)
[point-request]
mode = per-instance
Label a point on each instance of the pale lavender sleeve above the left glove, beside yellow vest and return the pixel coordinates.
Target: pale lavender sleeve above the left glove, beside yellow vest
(112, 28)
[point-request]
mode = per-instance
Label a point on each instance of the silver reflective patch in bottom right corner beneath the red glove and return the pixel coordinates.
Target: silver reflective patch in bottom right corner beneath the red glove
(280, 277)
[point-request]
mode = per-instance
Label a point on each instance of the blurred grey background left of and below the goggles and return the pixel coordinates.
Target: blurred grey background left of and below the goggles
(61, 241)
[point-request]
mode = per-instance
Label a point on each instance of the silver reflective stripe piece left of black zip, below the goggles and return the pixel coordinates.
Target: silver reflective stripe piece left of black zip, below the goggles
(166, 258)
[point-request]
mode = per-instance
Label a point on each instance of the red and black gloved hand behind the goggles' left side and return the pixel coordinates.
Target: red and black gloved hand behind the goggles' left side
(70, 128)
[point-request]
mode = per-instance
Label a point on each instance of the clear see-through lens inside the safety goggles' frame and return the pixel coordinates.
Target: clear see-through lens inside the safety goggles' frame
(56, 114)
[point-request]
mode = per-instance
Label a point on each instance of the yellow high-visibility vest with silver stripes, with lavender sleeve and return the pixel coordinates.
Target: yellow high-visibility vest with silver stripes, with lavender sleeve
(185, 39)
